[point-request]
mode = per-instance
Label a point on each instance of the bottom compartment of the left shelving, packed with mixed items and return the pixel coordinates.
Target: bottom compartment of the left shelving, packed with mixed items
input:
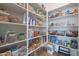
(19, 49)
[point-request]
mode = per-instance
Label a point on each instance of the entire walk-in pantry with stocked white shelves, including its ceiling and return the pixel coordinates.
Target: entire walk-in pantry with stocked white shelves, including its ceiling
(29, 29)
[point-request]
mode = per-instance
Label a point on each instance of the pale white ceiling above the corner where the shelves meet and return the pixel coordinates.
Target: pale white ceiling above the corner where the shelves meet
(51, 6)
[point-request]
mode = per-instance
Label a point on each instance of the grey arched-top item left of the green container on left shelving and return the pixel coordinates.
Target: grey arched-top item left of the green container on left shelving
(10, 37)
